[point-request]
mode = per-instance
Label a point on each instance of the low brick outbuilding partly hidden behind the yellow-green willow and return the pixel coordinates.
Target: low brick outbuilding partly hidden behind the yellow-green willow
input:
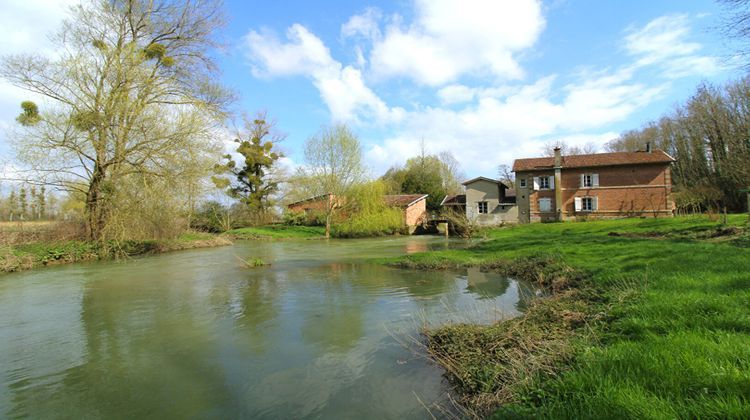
(413, 206)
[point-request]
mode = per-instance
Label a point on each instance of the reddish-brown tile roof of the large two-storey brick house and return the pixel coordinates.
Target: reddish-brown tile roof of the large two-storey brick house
(598, 159)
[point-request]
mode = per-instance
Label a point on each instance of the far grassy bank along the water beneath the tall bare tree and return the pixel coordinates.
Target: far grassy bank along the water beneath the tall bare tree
(27, 256)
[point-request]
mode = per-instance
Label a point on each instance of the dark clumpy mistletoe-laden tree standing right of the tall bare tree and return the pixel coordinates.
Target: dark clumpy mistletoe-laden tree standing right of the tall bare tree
(254, 181)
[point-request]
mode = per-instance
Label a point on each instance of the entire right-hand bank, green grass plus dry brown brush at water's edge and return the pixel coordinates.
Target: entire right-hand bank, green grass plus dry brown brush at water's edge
(655, 324)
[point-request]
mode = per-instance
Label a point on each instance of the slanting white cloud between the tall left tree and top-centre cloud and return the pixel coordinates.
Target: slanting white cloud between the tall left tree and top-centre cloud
(342, 88)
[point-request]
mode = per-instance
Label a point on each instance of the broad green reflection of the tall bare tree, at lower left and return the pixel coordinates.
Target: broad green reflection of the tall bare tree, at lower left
(145, 357)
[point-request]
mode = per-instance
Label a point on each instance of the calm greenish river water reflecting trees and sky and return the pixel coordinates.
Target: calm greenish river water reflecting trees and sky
(193, 334)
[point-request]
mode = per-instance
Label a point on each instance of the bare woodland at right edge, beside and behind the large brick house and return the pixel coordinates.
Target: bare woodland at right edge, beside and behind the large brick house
(709, 136)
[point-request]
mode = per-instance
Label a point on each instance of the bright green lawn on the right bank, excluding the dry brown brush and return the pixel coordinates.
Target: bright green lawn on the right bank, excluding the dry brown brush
(679, 348)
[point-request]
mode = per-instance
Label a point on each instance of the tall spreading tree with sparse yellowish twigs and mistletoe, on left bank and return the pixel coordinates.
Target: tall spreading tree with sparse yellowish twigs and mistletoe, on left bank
(130, 87)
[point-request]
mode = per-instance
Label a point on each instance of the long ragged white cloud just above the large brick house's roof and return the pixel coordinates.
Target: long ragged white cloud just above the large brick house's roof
(506, 125)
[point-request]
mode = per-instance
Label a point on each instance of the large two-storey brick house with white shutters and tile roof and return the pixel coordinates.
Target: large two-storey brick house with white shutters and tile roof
(602, 185)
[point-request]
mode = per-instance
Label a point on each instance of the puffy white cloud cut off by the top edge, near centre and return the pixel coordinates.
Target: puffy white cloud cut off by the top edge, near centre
(449, 39)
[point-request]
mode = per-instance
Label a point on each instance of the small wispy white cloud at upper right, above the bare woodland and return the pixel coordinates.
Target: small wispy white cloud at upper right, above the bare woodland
(664, 42)
